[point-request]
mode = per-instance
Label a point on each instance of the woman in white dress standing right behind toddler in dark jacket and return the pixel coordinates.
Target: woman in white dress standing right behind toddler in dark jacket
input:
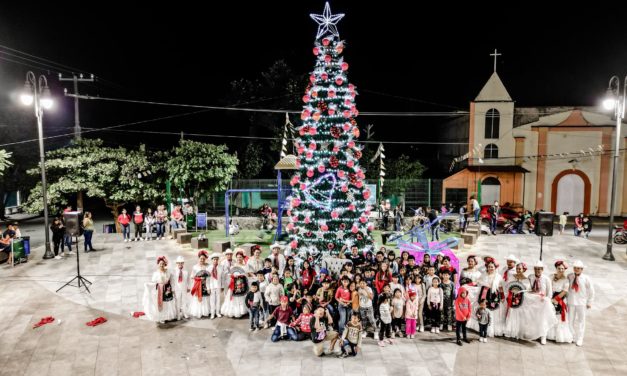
(489, 289)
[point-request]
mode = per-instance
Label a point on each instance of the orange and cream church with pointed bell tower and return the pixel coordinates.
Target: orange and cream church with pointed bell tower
(556, 159)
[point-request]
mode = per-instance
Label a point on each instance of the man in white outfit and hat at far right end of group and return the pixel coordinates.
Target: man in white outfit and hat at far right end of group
(580, 298)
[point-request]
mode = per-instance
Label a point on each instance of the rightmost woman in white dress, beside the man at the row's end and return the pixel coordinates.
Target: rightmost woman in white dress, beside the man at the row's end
(560, 332)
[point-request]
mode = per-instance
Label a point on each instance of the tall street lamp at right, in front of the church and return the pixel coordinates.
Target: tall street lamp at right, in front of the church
(616, 101)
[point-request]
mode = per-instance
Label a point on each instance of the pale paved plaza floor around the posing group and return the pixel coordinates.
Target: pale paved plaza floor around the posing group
(128, 346)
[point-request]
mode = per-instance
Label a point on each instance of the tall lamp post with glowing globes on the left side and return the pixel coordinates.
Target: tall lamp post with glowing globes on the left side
(37, 93)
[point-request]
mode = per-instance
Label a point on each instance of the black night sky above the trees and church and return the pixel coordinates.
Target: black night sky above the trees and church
(402, 55)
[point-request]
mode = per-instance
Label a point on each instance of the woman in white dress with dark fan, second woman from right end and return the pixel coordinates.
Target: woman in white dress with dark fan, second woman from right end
(514, 298)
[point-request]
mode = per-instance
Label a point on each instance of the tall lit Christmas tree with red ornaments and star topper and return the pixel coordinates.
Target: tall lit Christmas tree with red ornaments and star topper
(329, 208)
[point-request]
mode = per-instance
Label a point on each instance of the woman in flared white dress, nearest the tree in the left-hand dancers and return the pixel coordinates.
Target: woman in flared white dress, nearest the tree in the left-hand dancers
(235, 296)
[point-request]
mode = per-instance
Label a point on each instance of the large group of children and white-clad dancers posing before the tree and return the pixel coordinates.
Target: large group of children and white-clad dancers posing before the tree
(382, 296)
